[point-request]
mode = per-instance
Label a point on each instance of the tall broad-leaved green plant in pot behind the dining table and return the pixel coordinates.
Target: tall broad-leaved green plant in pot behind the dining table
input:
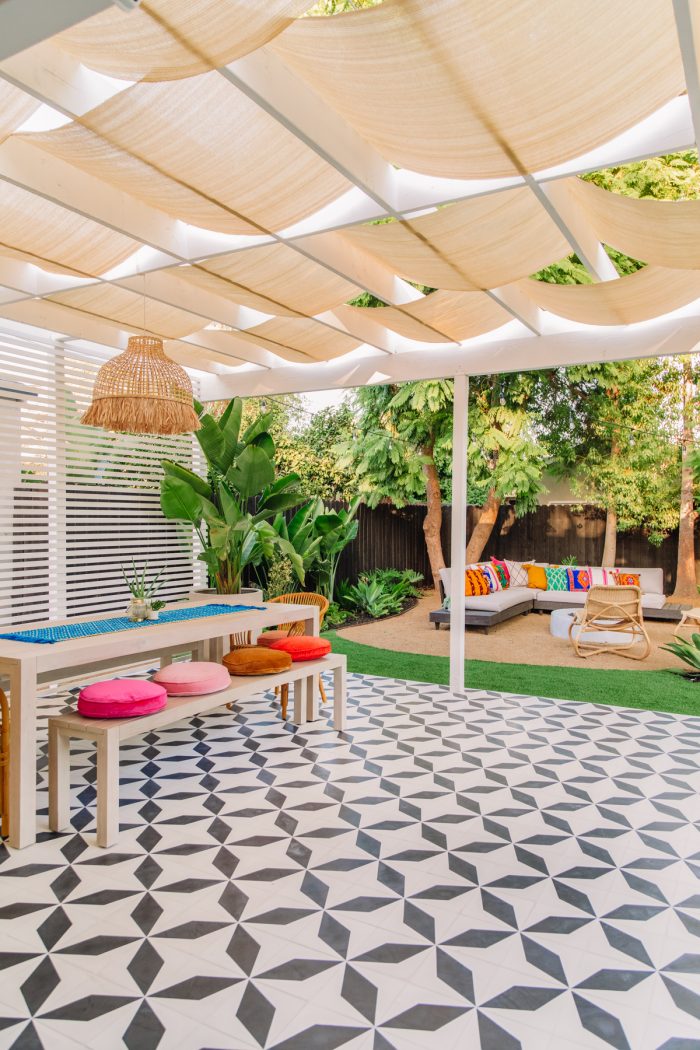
(242, 473)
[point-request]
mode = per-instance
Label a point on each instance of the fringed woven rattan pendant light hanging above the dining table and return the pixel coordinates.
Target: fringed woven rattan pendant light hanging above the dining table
(143, 392)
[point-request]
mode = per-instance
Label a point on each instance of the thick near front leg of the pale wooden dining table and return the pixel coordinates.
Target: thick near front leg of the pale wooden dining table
(24, 754)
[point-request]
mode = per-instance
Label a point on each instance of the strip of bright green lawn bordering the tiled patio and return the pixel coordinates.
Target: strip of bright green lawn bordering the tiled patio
(651, 690)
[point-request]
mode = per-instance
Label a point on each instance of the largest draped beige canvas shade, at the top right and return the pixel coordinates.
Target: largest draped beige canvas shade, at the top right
(471, 90)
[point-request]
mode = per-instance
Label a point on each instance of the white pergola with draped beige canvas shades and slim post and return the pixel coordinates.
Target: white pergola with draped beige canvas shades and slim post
(213, 172)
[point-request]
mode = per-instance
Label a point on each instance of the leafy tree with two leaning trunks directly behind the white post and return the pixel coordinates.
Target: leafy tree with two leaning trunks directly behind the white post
(402, 452)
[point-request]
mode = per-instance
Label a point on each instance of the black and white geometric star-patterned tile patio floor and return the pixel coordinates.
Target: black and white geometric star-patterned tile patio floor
(481, 871)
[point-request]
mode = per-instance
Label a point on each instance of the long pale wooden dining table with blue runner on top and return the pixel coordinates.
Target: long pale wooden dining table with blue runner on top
(27, 666)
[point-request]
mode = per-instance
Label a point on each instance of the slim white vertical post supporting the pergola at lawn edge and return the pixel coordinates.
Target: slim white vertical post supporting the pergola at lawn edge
(459, 539)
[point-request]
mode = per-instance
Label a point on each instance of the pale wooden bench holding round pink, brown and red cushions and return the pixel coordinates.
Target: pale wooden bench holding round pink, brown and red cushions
(109, 733)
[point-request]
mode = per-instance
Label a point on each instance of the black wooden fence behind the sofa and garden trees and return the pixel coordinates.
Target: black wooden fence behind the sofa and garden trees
(393, 538)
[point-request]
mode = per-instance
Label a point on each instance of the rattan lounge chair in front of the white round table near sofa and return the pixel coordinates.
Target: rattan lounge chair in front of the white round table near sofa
(617, 611)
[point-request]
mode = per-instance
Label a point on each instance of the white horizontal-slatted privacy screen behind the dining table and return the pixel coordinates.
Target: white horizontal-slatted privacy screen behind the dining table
(78, 503)
